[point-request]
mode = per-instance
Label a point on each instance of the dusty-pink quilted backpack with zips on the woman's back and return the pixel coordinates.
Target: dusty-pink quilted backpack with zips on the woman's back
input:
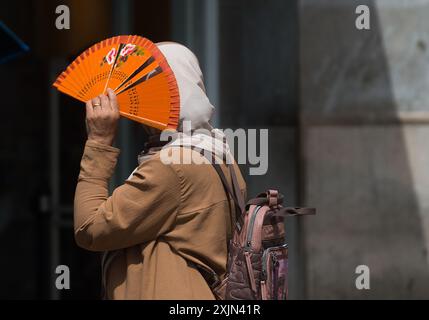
(257, 264)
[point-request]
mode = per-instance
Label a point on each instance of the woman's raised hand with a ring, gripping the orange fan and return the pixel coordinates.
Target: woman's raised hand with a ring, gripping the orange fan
(102, 115)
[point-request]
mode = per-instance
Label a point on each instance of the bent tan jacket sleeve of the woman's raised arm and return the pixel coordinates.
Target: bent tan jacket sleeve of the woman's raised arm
(140, 210)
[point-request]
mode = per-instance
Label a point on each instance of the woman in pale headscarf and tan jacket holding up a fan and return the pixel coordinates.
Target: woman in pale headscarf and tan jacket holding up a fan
(165, 231)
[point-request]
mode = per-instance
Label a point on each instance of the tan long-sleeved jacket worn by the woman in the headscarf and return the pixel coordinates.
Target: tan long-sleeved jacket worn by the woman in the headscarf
(160, 219)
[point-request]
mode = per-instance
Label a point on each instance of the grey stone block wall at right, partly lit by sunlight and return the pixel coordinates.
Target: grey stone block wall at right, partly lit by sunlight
(364, 103)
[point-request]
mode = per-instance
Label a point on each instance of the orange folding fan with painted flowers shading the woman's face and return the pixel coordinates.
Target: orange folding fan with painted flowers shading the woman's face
(136, 70)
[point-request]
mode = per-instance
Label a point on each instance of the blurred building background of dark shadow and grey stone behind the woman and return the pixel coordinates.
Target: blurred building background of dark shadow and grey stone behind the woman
(347, 113)
